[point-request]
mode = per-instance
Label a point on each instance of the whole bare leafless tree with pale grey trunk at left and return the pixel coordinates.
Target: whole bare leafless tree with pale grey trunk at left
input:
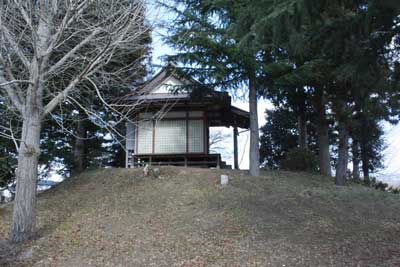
(48, 48)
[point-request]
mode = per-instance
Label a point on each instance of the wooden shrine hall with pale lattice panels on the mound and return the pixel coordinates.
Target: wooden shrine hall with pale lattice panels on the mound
(171, 125)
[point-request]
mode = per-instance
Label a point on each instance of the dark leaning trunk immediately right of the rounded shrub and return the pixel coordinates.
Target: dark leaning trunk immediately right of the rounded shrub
(323, 139)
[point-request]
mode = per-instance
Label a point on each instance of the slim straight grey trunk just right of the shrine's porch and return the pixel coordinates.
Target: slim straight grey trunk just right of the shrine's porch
(254, 131)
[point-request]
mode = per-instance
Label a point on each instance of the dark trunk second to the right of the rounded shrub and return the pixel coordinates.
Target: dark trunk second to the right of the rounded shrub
(343, 159)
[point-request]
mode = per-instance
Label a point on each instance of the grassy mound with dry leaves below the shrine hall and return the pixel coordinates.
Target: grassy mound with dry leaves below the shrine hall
(116, 217)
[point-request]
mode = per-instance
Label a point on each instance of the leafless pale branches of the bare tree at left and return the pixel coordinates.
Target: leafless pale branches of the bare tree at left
(64, 43)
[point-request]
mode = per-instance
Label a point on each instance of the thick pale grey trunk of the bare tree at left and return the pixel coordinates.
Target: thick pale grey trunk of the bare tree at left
(24, 217)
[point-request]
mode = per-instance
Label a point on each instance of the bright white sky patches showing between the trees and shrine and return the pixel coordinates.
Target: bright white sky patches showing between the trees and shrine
(390, 174)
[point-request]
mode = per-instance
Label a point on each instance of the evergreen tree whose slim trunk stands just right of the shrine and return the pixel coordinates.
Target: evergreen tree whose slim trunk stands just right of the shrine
(215, 42)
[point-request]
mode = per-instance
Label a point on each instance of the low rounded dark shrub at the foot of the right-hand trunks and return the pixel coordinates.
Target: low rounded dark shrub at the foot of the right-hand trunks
(300, 159)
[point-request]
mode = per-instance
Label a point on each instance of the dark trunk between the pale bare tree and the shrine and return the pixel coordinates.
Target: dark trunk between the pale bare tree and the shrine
(79, 147)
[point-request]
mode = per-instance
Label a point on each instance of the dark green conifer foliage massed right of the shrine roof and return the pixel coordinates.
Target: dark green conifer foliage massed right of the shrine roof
(330, 64)
